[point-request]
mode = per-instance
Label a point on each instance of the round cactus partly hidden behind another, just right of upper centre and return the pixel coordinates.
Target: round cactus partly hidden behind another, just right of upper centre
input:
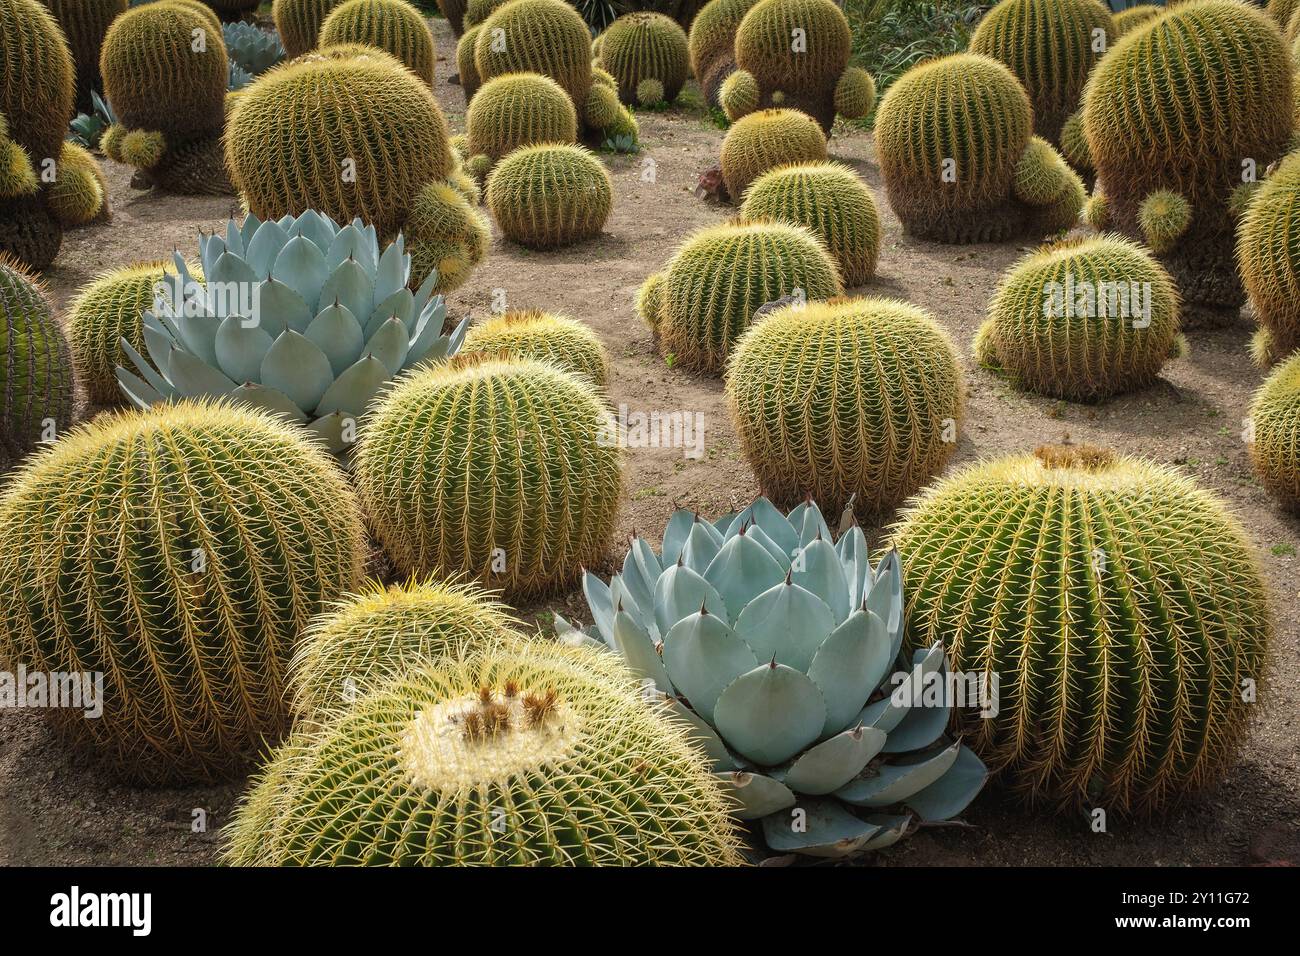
(833, 202)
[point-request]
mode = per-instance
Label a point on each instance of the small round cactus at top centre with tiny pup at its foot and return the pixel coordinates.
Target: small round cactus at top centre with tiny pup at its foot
(642, 50)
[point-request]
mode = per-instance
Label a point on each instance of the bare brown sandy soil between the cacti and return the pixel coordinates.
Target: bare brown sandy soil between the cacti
(55, 808)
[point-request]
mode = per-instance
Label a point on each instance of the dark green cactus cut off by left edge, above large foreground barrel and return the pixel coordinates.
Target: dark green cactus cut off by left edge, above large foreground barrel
(36, 370)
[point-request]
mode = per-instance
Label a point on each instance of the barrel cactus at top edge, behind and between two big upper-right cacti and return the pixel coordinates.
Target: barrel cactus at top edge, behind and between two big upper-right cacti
(1051, 46)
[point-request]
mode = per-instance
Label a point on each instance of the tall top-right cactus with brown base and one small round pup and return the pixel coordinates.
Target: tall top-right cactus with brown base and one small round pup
(1176, 126)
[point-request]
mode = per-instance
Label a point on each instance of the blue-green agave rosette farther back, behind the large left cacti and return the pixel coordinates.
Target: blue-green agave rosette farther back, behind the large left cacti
(300, 317)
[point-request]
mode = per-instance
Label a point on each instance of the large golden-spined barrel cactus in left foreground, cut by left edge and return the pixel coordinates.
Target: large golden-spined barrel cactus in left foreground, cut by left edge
(185, 579)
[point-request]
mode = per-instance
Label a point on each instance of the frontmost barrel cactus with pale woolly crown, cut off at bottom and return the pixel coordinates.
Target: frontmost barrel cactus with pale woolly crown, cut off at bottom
(582, 771)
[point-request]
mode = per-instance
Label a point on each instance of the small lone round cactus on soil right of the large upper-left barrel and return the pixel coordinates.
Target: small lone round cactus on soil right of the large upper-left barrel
(552, 196)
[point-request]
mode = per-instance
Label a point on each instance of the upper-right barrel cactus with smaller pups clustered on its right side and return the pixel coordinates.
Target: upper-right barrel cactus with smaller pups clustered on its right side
(960, 158)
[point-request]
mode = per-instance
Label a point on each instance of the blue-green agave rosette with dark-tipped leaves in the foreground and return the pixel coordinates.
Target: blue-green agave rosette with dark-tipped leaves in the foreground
(782, 652)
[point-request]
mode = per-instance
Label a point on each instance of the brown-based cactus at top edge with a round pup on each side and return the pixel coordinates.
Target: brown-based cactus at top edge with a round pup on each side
(796, 54)
